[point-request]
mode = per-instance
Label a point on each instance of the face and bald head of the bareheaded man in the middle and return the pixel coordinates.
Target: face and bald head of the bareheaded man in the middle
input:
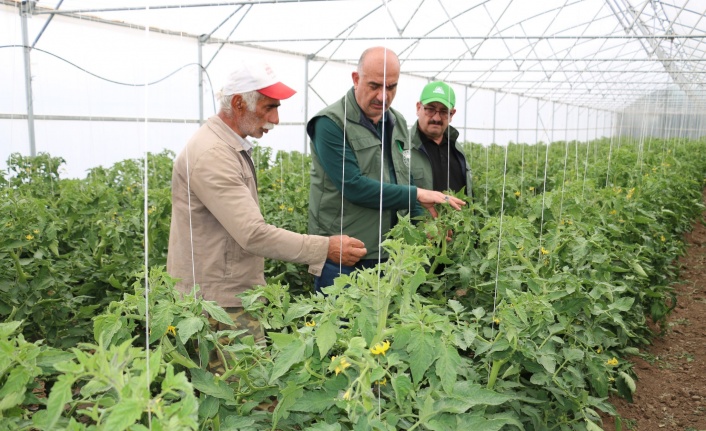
(373, 83)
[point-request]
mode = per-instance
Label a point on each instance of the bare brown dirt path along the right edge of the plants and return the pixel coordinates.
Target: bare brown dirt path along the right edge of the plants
(671, 385)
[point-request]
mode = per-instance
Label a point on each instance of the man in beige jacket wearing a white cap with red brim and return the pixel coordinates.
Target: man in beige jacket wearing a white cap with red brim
(218, 238)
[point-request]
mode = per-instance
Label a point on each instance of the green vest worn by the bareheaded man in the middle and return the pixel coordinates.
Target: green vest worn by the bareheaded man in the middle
(326, 214)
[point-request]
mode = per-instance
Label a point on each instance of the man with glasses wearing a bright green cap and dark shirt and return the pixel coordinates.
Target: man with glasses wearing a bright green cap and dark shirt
(438, 161)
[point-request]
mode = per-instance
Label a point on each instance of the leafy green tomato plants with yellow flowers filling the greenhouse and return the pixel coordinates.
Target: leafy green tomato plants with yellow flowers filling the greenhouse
(522, 321)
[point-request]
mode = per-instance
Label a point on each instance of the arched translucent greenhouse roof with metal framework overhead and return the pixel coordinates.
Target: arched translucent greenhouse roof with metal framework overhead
(602, 54)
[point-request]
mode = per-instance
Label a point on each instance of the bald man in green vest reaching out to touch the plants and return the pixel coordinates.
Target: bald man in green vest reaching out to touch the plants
(357, 153)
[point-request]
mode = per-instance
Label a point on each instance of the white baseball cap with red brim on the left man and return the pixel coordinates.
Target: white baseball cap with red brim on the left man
(256, 76)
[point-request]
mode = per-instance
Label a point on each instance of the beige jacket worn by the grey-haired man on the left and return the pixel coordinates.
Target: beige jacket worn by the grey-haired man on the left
(229, 236)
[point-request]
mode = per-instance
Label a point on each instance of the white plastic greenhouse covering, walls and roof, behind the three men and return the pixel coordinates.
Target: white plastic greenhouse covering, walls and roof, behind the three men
(111, 80)
